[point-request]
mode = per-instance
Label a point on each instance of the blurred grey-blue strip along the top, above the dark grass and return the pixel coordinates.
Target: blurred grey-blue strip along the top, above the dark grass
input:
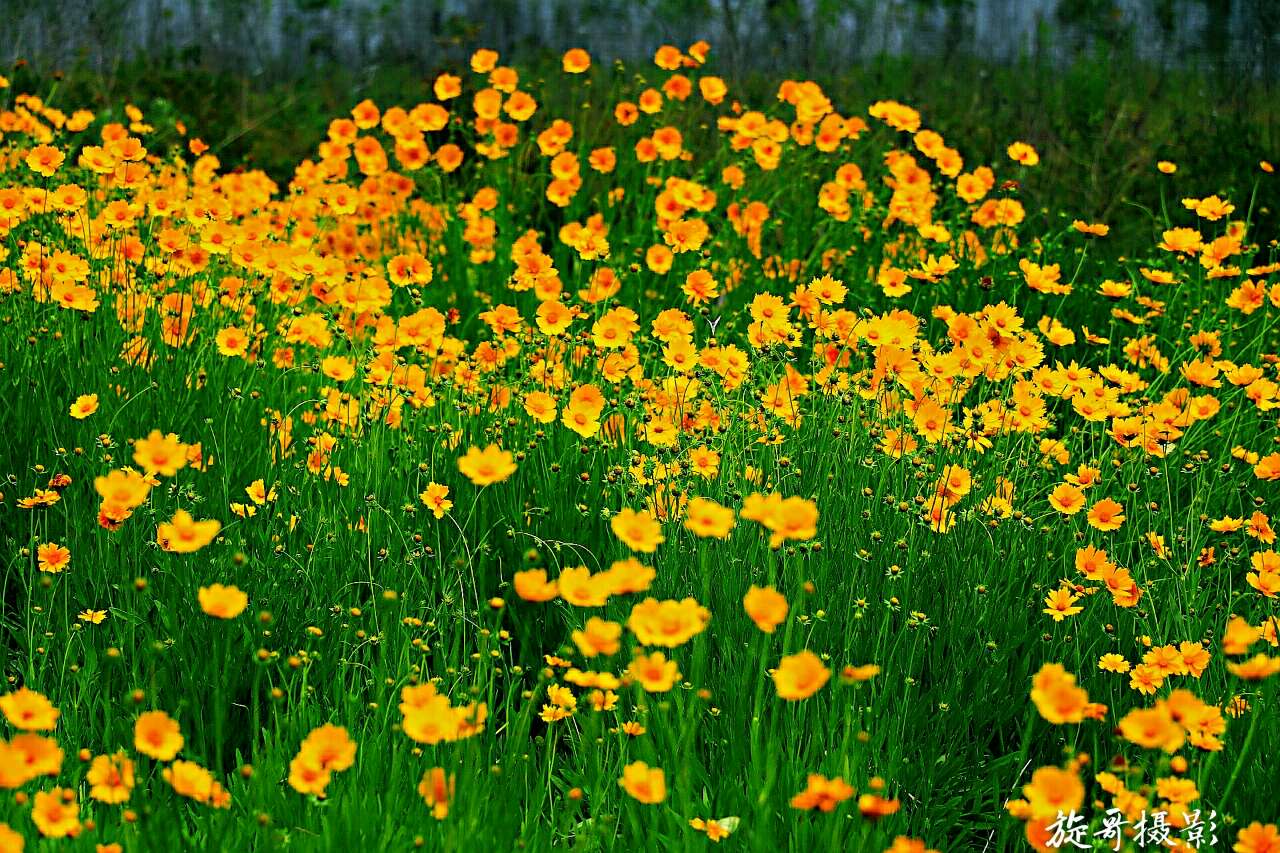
(289, 38)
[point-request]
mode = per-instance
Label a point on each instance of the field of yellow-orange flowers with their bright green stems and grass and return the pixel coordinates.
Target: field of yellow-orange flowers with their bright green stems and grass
(665, 473)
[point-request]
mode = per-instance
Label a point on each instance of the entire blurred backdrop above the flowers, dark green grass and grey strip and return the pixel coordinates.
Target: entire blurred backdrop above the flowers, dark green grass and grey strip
(1103, 88)
